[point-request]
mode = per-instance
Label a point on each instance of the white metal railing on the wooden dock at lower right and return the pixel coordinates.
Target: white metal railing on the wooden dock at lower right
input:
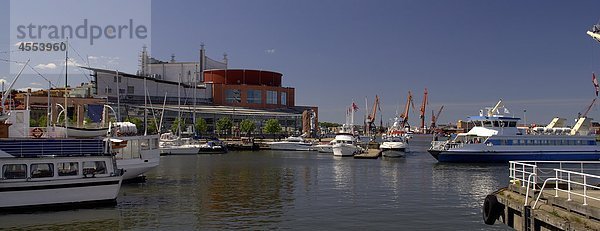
(575, 175)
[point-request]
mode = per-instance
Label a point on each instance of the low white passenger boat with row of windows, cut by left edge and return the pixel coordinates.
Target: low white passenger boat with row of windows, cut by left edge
(32, 181)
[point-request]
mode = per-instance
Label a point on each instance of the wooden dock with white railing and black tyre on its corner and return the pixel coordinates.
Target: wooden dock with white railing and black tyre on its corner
(572, 205)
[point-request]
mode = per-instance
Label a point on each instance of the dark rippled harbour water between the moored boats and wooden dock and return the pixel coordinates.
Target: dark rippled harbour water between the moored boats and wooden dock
(291, 190)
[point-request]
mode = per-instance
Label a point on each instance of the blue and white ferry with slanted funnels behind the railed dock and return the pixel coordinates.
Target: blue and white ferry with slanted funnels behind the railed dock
(496, 138)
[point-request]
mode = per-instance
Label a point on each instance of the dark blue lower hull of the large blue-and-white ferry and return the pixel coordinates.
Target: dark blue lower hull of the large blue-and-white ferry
(500, 157)
